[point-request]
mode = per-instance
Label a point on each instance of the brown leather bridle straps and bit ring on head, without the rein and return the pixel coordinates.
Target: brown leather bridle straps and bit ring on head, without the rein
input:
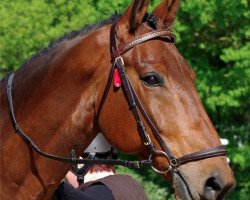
(136, 106)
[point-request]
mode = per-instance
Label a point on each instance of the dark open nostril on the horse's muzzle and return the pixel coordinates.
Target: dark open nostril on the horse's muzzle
(213, 188)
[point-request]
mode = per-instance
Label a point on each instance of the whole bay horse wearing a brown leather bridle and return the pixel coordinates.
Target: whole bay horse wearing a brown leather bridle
(63, 96)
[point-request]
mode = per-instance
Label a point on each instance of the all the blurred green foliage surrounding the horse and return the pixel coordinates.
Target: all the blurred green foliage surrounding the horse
(212, 35)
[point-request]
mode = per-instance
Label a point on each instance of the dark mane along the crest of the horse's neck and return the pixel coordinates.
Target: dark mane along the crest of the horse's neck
(71, 35)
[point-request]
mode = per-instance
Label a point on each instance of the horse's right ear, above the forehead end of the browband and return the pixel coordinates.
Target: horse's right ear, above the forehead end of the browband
(165, 13)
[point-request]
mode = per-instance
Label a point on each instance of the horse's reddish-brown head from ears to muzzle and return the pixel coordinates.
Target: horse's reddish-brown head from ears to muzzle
(164, 83)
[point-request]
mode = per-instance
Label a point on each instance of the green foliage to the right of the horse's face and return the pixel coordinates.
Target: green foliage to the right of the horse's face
(214, 38)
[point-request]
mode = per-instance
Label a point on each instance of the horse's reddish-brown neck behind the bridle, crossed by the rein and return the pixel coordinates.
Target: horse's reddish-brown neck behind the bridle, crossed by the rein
(54, 102)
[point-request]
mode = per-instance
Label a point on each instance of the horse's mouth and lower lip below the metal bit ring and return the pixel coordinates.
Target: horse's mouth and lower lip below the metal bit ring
(182, 191)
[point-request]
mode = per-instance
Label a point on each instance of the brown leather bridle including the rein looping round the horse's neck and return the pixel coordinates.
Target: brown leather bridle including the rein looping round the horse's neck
(134, 105)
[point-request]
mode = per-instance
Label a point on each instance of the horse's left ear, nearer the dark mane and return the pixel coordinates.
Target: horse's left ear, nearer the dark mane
(133, 16)
